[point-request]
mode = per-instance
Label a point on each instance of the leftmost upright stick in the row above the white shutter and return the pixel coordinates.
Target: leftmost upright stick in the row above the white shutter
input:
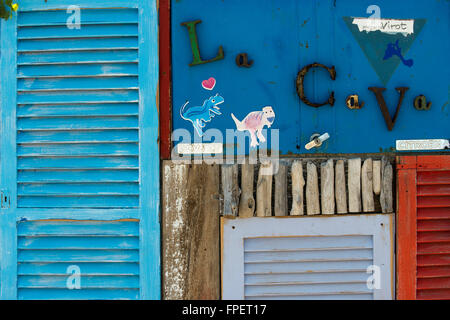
(230, 189)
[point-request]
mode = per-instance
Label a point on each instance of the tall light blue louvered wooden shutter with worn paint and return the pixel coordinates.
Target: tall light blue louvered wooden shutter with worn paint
(81, 115)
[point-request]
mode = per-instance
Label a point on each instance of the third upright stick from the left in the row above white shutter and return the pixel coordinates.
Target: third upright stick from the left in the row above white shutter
(264, 190)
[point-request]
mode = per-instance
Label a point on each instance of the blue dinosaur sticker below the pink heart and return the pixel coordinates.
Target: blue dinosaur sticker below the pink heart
(199, 115)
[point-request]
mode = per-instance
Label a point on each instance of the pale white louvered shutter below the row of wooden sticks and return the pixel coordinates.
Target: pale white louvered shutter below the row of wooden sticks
(307, 258)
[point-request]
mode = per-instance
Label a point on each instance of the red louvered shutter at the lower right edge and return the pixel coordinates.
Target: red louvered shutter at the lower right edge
(423, 227)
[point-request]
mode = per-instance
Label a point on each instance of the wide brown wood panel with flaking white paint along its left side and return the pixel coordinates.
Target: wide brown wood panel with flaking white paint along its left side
(190, 232)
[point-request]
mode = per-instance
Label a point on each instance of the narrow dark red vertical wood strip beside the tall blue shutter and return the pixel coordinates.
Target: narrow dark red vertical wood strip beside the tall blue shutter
(165, 80)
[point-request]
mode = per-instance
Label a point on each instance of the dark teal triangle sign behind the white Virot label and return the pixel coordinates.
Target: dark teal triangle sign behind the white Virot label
(385, 51)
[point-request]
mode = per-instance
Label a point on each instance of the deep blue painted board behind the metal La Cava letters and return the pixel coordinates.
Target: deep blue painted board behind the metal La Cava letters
(281, 37)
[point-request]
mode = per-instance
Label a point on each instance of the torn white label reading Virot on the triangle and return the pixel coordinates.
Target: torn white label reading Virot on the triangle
(385, 25)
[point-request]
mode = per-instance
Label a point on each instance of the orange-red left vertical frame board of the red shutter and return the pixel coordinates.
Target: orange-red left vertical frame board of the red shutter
(406, 234)
